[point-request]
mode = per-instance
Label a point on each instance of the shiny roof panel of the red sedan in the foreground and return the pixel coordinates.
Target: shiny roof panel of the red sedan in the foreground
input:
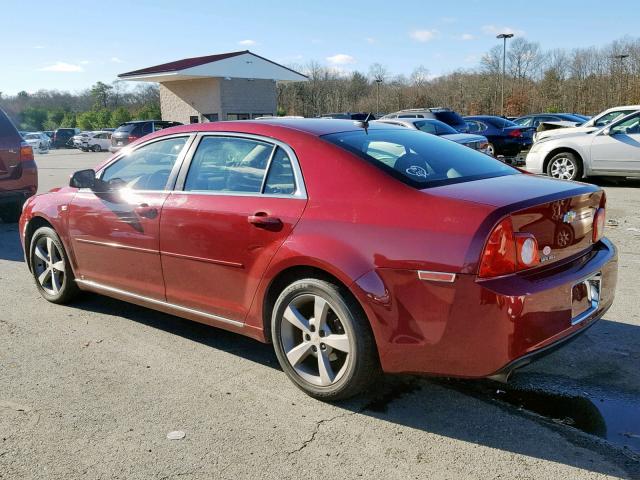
(312, 126)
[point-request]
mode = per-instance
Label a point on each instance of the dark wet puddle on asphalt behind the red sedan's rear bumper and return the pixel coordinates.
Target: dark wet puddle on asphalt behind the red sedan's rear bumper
(611, 415)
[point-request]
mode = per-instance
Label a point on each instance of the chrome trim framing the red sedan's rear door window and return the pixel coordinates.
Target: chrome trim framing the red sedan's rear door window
(300, 192)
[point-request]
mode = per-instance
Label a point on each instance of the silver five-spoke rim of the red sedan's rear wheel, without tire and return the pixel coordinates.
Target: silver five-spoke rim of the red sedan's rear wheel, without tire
(314, 340)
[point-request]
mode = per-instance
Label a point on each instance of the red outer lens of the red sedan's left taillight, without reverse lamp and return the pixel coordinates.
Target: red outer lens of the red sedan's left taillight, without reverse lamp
(499, 256)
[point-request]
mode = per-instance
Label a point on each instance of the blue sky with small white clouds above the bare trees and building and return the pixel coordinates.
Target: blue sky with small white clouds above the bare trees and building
(70, 45)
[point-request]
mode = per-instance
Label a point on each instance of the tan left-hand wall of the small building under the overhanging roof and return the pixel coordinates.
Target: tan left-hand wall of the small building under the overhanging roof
(183, 98)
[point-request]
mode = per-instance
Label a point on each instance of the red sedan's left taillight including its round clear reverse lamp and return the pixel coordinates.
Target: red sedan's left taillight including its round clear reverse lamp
(507, 252)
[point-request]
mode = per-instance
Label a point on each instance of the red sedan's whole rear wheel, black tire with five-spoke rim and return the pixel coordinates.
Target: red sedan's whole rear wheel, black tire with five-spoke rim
(343, 342)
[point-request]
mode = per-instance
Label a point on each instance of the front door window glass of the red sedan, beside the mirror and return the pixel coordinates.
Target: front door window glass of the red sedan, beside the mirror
(147, 167)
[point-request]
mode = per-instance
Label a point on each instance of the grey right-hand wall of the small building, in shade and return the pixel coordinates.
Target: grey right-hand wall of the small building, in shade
(241, 95)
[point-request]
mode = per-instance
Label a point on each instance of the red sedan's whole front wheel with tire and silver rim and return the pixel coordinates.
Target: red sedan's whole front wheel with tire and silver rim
(51, 268)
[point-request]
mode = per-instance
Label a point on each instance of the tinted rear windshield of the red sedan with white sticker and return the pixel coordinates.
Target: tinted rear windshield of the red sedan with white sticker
(420, 160)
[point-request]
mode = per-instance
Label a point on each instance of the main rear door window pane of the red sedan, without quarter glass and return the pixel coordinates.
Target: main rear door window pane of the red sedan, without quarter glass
(228, 164)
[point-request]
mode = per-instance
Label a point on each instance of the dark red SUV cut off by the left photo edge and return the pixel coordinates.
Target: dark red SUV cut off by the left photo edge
(18, 171)
